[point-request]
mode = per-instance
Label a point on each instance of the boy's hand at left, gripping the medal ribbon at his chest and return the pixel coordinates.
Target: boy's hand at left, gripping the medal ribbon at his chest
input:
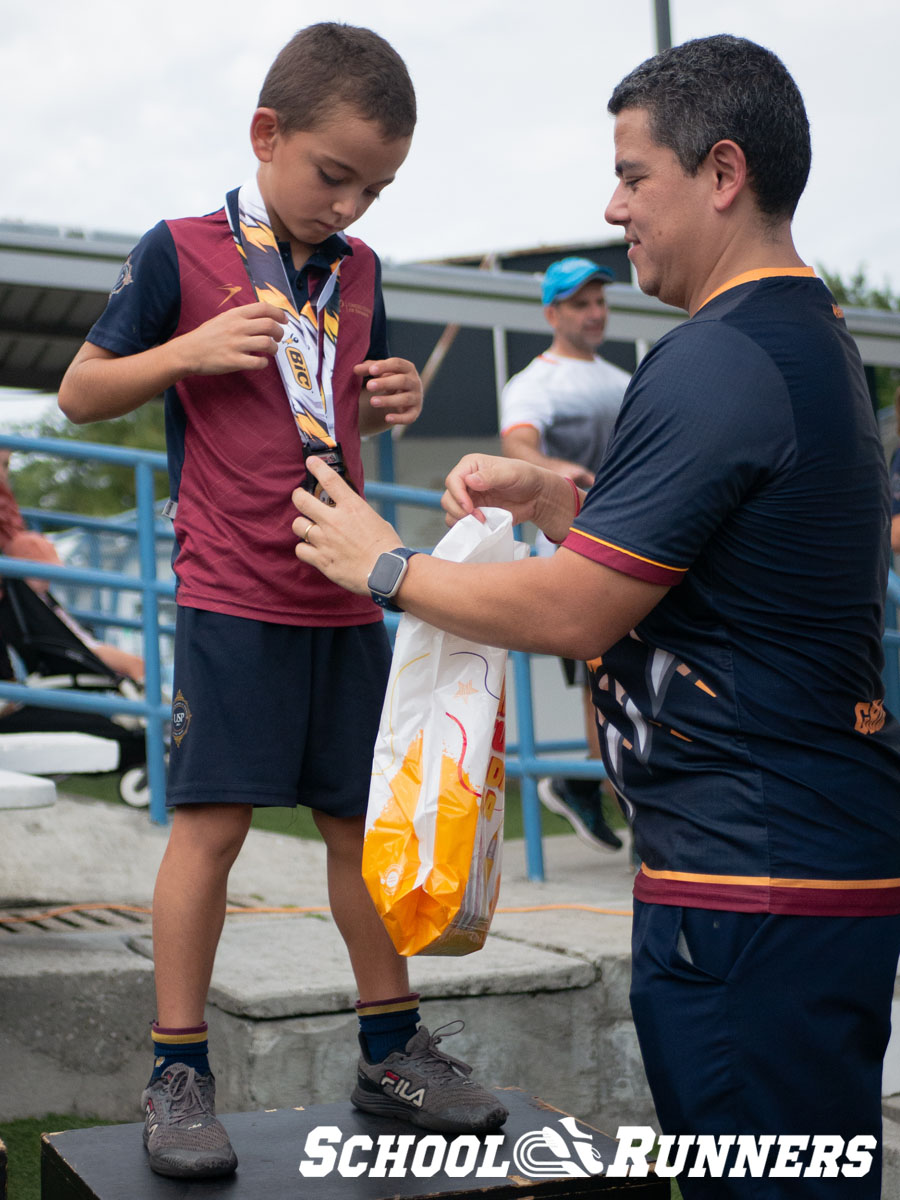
(242, 339)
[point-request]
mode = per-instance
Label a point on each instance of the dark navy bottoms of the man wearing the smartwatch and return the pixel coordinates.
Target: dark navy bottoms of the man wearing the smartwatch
(765, 1024)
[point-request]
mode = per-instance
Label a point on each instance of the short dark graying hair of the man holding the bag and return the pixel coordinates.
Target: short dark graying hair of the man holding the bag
(723, 87)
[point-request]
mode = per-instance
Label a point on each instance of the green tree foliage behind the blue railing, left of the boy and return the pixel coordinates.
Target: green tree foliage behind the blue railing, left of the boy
(92, 489)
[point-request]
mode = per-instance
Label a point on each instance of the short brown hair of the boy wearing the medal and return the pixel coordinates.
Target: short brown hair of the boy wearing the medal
(331, 64)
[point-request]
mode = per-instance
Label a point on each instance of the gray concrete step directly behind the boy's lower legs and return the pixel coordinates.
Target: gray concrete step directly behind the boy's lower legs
(541, 1018)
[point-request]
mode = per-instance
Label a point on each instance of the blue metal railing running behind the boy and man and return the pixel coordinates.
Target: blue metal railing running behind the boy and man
(527, 758)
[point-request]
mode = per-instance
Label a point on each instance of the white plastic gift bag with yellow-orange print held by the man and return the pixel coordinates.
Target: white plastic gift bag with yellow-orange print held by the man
(435, 821)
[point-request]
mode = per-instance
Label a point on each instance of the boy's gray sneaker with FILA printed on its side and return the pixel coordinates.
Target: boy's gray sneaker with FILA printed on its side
(428, 1088)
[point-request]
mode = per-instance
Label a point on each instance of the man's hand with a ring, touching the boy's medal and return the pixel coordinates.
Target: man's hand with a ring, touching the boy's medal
(344, 539)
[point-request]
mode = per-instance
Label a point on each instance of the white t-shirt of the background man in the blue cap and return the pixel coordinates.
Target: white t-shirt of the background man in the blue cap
(572, 403)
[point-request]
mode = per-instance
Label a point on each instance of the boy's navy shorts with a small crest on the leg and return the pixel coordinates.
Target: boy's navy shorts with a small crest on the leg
(272, 715)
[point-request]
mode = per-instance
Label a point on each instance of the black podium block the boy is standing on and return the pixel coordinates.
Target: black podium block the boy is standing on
(110, 1163)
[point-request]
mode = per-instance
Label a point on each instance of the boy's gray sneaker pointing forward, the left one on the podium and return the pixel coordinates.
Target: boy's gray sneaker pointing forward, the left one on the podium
(182, 1133)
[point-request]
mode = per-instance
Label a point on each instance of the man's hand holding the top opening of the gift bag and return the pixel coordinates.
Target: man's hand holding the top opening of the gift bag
(529, 493)
